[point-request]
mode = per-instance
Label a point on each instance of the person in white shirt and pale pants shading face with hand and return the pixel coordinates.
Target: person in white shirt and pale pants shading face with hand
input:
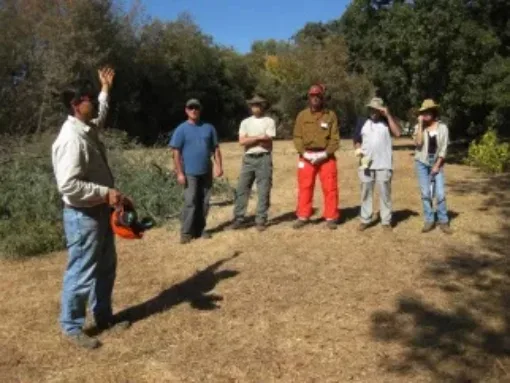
(373, 144)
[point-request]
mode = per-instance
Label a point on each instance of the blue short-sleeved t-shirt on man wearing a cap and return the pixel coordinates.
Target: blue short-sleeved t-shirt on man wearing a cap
(196, 144)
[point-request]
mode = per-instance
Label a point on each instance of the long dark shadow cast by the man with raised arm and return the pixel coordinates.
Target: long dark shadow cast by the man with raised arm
(196, 290)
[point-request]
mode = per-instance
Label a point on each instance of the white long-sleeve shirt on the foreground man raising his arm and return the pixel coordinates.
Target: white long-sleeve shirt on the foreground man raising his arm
(79, 160)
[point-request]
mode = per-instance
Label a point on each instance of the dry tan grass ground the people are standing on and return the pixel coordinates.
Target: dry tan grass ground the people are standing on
(290, 306)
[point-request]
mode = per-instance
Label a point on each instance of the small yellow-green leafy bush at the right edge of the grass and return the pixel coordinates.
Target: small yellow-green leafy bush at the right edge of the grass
(489, 153)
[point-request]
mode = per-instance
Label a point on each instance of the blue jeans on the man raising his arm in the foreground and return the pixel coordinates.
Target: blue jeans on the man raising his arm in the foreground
(91, 267)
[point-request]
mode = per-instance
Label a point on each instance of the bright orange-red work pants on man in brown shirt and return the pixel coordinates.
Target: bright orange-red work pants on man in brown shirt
(307, 173)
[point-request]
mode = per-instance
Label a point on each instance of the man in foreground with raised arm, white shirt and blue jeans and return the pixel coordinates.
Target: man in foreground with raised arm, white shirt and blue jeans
(85, 181)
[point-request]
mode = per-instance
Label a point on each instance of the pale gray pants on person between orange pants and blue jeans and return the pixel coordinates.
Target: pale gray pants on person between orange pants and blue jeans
(383, 179)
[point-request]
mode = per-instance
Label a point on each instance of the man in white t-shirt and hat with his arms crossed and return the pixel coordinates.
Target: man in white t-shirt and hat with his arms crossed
(256, 135)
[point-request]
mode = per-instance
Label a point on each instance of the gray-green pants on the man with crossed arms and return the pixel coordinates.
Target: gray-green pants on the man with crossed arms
(255, 168)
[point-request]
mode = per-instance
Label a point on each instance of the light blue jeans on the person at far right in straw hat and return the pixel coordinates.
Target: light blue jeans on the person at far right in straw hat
(425, 178)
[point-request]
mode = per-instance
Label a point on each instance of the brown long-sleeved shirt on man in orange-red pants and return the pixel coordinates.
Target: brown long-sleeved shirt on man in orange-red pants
(316, 131)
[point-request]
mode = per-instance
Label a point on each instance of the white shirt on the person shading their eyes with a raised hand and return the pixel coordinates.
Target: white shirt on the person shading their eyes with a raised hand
(376, 144)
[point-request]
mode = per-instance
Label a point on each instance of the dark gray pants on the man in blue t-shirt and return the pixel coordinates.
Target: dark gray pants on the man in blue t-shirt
(197, 194)
